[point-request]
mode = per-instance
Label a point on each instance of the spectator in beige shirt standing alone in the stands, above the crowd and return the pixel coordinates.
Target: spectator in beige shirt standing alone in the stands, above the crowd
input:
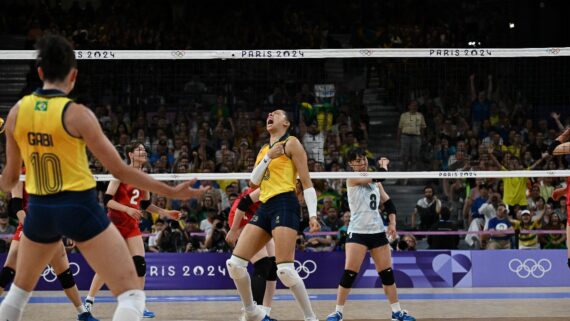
(410, 130)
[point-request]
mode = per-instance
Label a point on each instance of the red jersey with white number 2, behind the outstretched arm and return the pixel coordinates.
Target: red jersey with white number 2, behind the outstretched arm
(130, 196)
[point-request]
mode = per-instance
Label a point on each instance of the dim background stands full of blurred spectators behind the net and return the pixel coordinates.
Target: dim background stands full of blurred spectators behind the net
(423, 114)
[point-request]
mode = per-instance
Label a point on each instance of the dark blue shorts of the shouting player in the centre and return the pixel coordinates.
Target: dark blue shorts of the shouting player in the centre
(280, 210)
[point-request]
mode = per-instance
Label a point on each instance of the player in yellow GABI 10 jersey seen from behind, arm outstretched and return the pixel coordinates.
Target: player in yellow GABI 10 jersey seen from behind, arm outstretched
(49, 133)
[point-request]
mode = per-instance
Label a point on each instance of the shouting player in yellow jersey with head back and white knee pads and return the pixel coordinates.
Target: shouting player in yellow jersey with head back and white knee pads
(278, 216)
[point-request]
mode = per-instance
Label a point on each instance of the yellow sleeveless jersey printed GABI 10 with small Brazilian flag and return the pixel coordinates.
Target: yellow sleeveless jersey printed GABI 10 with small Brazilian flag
(55, 161)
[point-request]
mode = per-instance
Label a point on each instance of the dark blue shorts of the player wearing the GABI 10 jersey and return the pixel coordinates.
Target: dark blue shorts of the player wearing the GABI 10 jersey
(77, 215)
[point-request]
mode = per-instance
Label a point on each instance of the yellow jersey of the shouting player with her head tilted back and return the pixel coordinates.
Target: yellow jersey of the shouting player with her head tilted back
(280, 176)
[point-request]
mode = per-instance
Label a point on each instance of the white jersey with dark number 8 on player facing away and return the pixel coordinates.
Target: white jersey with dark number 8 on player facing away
(364, 201)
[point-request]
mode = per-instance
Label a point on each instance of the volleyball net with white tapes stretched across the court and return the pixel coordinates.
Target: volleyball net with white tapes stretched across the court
(202, 115)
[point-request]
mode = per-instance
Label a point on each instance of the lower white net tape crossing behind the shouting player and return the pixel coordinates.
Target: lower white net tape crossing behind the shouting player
(345, 175)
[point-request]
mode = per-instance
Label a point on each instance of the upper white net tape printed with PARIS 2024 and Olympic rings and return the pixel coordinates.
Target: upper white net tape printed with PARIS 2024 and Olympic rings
(301, 53)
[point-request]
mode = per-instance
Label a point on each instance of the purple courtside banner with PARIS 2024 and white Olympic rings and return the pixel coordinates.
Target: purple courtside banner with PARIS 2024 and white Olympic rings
(421, 269)
